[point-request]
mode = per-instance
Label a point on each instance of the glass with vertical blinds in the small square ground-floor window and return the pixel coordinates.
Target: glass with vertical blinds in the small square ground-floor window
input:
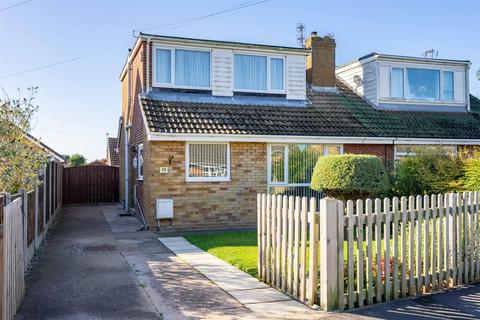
(208, 160)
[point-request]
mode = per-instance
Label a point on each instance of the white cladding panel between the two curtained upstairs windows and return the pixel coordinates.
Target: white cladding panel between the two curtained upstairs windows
(222, 72)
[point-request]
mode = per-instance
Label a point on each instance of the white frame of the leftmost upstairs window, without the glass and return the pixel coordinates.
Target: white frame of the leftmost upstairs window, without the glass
(172, 84)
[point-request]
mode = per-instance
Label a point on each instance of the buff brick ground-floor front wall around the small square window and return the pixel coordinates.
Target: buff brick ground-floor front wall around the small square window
(200, 205)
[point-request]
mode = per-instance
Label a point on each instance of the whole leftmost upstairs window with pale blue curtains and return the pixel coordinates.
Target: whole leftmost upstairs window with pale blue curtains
(182, 68)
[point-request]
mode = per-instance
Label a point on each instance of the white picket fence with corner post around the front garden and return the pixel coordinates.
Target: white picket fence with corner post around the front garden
(366, 252)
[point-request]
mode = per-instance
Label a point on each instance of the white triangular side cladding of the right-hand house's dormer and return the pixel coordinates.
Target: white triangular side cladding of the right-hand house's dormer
(362, 78)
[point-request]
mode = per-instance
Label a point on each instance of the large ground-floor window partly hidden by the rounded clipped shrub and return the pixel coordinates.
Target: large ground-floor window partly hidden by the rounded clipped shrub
(290, 167)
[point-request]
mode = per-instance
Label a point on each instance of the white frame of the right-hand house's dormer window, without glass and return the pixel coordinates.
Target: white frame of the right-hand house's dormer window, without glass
(435, 68)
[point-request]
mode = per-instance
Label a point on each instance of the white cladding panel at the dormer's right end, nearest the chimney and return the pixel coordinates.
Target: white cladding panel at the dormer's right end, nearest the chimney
(296, 77)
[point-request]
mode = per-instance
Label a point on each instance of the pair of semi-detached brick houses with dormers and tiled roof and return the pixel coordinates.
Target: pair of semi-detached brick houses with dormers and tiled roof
(209, 124)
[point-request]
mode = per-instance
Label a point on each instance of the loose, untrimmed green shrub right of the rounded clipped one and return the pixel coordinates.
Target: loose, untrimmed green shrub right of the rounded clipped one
(428, 172)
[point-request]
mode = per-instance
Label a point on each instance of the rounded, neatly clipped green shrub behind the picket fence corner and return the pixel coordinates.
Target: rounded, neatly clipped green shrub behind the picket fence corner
(349, 176)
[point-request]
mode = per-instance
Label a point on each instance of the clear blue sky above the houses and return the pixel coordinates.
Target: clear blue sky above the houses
(80, 100)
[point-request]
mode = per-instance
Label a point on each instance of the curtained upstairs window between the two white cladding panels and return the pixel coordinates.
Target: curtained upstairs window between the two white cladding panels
(258, 73)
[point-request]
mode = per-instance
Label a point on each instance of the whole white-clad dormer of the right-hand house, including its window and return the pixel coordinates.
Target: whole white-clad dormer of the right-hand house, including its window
(406, 83)
